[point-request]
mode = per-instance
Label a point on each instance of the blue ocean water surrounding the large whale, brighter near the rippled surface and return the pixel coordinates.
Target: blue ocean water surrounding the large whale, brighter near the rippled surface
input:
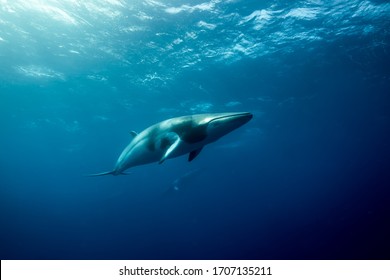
(307, 178)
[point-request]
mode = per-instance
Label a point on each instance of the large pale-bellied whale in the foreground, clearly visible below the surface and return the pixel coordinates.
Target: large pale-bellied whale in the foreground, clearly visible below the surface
(176, 137)
